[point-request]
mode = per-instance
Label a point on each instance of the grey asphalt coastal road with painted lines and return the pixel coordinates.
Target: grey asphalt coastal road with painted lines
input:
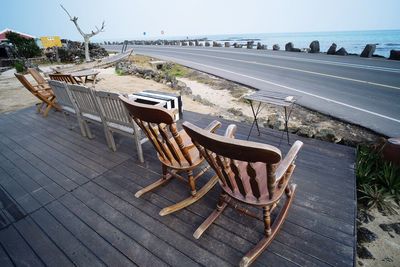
(358, 90)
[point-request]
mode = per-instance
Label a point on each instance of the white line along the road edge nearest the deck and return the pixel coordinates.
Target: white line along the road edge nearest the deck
(289, 88)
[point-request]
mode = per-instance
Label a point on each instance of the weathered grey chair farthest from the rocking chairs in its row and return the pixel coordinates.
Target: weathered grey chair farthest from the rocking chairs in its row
(67, 103)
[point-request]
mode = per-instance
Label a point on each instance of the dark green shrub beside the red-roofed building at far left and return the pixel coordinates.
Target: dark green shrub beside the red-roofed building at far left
(26, 48)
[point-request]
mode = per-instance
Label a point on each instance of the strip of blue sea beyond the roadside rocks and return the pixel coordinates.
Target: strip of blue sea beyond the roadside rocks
(353, 41)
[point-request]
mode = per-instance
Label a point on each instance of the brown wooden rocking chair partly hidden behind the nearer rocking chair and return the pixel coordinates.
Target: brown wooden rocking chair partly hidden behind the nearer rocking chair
(175, 150)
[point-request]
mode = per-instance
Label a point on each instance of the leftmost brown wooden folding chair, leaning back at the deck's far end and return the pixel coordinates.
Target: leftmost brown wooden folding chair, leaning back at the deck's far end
(46, 96)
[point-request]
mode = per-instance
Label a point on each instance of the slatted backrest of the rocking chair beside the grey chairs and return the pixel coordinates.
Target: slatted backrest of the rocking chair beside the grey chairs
(159, 126)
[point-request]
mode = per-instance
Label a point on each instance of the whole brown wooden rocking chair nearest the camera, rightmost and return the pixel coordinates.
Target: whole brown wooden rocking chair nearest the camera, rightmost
(251, 173)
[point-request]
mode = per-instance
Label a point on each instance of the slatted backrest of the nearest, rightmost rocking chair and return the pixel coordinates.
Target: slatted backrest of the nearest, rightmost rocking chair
(246, 169)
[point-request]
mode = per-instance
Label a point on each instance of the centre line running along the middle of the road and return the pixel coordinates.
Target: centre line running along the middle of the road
(287, 68)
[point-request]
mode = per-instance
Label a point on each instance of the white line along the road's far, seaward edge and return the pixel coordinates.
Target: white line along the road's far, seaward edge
(294, 58)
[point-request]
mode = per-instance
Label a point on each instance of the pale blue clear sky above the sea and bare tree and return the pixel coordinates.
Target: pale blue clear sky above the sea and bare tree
(129, 19)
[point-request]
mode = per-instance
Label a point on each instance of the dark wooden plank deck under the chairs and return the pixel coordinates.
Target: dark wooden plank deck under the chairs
(67, 200)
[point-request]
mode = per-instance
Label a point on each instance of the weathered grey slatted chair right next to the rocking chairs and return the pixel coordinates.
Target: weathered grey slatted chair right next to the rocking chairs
(116, 119)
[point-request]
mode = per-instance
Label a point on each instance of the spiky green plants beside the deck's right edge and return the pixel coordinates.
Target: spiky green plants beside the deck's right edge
(378, 181)
